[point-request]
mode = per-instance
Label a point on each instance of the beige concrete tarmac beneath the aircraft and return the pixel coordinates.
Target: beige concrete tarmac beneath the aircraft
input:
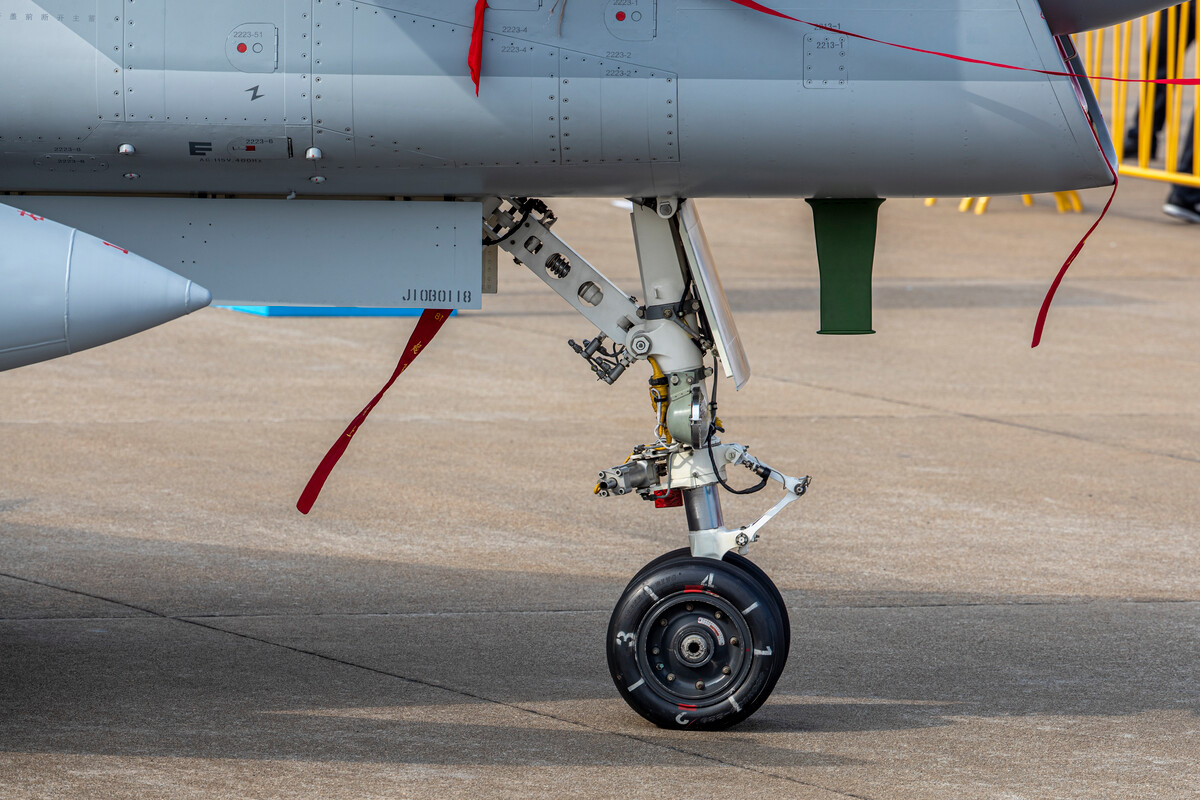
(994, 581)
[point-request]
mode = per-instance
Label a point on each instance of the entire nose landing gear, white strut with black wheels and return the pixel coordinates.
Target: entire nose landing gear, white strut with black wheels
(701, 635)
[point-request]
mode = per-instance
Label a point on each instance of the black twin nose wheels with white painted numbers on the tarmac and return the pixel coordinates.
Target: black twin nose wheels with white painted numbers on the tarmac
(697, 643)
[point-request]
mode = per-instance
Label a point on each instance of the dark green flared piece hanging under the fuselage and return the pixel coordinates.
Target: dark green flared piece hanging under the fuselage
(845, 233)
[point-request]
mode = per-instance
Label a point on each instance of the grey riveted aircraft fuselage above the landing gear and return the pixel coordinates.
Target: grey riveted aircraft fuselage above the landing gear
(677, 98)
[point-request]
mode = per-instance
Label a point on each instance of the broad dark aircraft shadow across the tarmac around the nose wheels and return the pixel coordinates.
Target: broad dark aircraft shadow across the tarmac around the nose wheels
(265, 654)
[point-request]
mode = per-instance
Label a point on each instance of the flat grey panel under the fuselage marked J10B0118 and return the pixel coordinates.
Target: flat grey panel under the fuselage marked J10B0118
(297, 252)
